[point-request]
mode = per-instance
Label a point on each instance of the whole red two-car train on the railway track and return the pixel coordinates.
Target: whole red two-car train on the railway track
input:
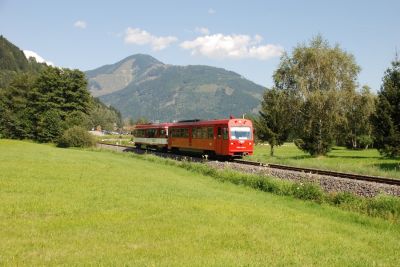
(226, 137)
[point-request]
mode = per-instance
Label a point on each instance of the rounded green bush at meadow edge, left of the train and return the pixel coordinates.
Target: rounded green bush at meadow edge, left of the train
(76, 137)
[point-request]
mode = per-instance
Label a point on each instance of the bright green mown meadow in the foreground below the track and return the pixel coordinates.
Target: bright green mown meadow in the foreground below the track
(79, 207)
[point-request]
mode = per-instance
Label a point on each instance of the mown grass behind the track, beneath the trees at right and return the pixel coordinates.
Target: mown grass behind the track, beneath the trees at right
(367, 161)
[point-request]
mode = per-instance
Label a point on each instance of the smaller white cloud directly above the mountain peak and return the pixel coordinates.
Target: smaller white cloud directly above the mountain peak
(142, 37)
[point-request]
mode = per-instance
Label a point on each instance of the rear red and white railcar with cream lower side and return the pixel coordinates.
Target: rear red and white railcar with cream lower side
(151, 135)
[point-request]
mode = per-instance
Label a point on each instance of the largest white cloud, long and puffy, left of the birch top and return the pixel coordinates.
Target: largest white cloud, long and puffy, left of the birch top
(232, 46)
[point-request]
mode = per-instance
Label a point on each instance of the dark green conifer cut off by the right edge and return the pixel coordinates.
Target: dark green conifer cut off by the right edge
(386, 120)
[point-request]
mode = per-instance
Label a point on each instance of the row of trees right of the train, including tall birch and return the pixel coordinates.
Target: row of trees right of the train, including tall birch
(316, 102)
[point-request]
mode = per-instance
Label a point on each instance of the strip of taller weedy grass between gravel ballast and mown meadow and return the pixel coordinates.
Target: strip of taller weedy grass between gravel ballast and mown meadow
(384, 206)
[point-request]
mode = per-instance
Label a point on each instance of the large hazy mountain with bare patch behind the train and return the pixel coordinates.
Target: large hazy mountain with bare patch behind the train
(142, 86)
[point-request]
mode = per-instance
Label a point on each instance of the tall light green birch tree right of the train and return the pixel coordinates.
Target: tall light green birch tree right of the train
(316, 72)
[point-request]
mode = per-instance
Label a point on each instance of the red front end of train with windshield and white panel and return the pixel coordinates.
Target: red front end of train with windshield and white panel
(241, 141)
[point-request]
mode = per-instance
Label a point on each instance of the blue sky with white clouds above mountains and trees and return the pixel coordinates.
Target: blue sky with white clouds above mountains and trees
(243, 36)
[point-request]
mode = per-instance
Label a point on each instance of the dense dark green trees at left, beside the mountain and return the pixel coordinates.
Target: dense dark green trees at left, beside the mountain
(42, 105)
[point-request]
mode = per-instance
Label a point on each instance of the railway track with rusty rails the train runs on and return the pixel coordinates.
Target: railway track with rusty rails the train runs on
(375, 179)
